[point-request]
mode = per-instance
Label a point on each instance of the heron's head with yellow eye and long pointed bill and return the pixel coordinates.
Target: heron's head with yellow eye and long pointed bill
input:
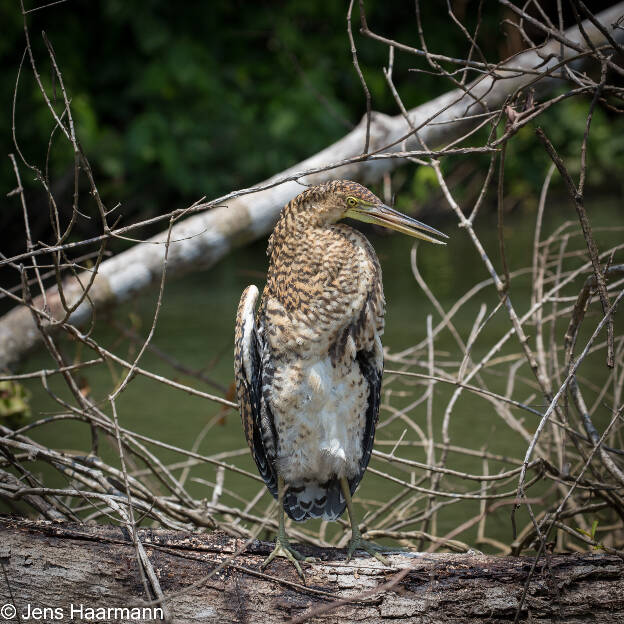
(357, 202)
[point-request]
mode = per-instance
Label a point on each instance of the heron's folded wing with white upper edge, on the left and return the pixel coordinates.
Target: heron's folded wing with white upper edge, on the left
(255, 414)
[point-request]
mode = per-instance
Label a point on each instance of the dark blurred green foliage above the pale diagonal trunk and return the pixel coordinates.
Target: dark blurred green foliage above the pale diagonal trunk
(174, 102)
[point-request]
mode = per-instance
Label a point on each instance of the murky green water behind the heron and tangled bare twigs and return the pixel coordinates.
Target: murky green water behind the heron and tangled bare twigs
(195, 326)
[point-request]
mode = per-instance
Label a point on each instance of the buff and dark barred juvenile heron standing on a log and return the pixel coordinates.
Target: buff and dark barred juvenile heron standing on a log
(308, 363)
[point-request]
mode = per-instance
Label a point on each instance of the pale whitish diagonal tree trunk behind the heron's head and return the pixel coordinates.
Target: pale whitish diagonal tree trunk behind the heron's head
(201, 240)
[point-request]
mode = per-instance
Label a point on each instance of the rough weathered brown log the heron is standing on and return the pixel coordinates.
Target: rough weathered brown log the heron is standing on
(72, 568)
